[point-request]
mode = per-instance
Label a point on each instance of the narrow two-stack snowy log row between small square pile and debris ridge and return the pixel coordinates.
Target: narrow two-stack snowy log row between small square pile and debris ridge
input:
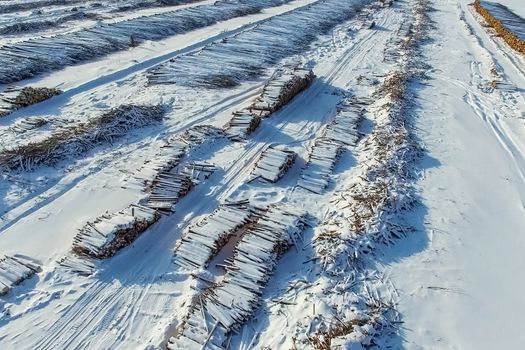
(341, 132)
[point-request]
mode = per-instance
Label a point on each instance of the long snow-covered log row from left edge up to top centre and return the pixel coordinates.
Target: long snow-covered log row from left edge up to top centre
(26, 59)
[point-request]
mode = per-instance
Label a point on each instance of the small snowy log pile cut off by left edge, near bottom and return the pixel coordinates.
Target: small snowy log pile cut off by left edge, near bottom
(14, 270)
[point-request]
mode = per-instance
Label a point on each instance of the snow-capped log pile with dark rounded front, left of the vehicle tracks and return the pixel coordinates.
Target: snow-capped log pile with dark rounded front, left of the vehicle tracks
(109, 233)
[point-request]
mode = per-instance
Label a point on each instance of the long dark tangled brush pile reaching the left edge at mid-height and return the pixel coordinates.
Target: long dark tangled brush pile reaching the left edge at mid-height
(78, 138)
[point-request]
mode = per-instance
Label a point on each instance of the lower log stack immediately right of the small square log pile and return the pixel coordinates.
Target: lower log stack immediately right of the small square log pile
(323, 156)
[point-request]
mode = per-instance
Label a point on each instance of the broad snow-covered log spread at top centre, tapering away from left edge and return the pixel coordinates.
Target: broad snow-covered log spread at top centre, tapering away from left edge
(246, 56)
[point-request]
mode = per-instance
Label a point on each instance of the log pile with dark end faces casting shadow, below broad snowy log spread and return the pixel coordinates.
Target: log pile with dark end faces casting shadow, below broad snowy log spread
(280, 89)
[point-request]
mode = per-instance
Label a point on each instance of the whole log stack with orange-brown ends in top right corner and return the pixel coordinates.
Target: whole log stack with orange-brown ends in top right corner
(507, 25)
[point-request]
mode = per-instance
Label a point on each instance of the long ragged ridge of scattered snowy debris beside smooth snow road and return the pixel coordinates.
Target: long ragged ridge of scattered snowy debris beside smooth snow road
(370, 212)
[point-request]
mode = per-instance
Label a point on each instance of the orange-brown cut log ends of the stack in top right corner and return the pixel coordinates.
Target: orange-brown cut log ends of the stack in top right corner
(511, 38)
